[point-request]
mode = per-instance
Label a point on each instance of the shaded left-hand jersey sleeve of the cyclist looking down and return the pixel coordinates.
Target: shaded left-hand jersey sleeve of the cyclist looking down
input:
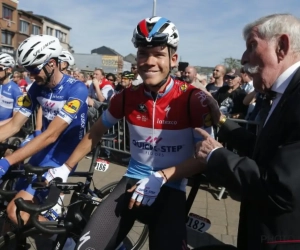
(29, 101)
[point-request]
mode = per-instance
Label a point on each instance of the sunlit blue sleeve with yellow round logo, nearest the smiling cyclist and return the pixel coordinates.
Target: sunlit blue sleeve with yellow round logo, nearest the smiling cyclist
(76, 102)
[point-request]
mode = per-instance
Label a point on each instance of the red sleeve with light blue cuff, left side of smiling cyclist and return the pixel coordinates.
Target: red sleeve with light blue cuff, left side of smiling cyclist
(115, 111)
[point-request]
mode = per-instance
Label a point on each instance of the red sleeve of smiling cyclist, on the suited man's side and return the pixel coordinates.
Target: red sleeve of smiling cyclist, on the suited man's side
(200, 114)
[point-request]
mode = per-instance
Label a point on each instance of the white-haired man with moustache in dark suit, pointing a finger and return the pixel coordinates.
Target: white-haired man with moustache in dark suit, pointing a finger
(269, 179)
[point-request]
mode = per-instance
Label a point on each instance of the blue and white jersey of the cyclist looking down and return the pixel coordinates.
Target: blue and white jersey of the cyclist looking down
(68, 101)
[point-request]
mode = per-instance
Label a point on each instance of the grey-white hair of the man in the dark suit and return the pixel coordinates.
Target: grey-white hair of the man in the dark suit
(269, 27)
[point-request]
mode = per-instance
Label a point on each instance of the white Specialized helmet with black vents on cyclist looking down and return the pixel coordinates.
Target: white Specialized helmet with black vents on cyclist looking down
(38, 49)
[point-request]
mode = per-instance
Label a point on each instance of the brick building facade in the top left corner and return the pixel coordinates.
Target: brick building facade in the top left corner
(9, 26)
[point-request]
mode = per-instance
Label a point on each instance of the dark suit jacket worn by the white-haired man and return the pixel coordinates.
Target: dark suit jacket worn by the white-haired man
(269, 181)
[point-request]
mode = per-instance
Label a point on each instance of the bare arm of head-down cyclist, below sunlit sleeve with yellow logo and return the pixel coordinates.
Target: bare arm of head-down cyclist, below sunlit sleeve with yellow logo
(50, 135)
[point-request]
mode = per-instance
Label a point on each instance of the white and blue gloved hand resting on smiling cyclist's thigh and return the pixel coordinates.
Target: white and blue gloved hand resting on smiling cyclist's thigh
(146, 190)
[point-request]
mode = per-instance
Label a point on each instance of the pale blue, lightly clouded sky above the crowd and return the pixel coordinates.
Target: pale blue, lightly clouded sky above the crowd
(209, 30)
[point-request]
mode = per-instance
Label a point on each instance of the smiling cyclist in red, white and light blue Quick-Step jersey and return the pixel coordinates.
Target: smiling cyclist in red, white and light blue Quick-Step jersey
(161, 114)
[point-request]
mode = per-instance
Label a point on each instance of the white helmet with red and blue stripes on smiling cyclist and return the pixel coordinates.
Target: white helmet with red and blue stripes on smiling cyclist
(155, 31)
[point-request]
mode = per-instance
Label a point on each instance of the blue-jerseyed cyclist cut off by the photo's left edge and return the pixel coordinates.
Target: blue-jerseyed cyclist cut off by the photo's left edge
(10, 93)
